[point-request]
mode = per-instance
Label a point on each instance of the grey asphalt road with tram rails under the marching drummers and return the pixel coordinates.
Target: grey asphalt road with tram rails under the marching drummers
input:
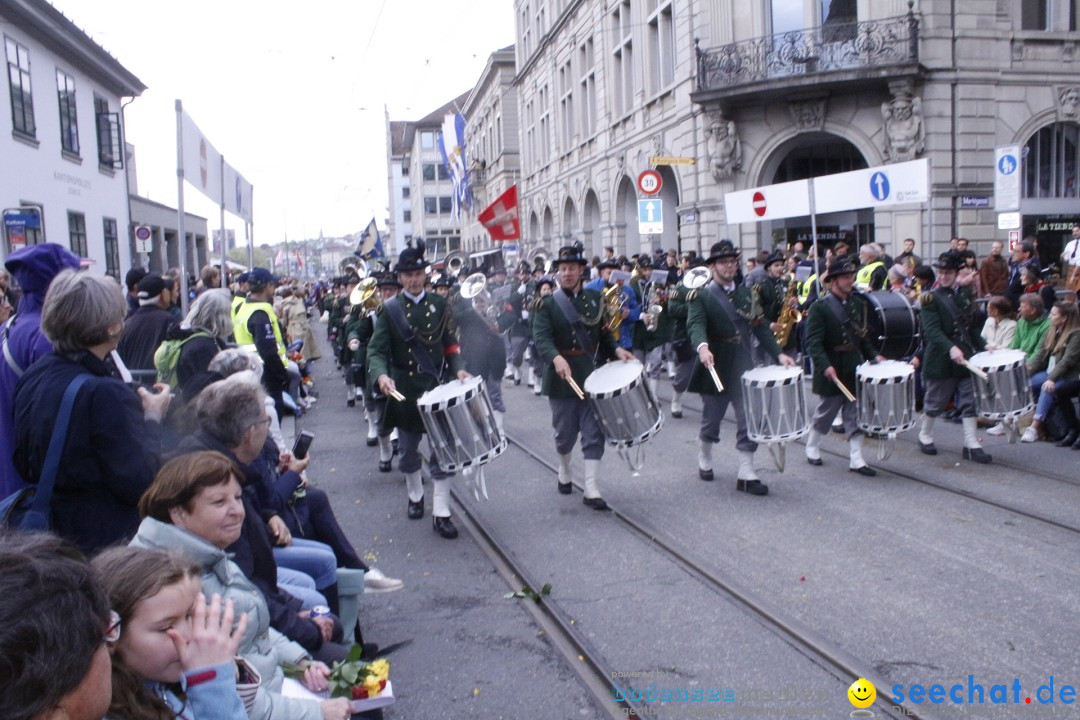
(937, 570)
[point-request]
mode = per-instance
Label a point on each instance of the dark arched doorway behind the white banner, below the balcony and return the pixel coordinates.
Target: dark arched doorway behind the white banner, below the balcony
(814, 155)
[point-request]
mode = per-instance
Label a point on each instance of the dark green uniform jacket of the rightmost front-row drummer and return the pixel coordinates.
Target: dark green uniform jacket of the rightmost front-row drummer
(941, 332)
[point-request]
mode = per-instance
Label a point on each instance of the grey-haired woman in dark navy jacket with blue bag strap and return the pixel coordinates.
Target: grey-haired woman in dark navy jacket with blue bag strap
(114, 440)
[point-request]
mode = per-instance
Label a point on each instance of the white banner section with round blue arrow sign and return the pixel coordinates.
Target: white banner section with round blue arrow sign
(899, 184)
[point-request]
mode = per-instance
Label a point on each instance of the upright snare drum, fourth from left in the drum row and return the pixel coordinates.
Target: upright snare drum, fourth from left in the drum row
(886, 398)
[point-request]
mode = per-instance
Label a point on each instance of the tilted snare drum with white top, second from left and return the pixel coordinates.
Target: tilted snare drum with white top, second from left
(625, 406)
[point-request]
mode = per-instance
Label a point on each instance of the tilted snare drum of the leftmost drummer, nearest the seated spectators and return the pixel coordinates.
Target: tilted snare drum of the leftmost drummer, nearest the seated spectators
(461, 425)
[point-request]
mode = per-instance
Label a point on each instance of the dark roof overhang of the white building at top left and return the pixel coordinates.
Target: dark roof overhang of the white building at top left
(52, 29)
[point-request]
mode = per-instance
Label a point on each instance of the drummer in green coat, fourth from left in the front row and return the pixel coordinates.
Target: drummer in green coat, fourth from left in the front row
(838, 343)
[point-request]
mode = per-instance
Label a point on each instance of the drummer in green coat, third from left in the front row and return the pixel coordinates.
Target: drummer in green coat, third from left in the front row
(722, 317)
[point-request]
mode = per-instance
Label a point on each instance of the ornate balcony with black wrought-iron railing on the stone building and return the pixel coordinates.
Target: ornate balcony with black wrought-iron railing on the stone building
(850, 55)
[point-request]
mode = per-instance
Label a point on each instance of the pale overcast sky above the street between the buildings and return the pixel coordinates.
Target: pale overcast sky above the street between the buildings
(292, 96)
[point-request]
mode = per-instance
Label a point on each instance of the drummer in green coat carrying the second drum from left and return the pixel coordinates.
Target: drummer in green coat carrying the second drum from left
(570, 335)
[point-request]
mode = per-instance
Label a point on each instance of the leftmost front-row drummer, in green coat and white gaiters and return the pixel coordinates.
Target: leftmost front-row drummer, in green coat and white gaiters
(415, 349)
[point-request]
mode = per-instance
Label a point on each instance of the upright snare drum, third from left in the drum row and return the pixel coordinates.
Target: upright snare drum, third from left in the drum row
(776, 404)
